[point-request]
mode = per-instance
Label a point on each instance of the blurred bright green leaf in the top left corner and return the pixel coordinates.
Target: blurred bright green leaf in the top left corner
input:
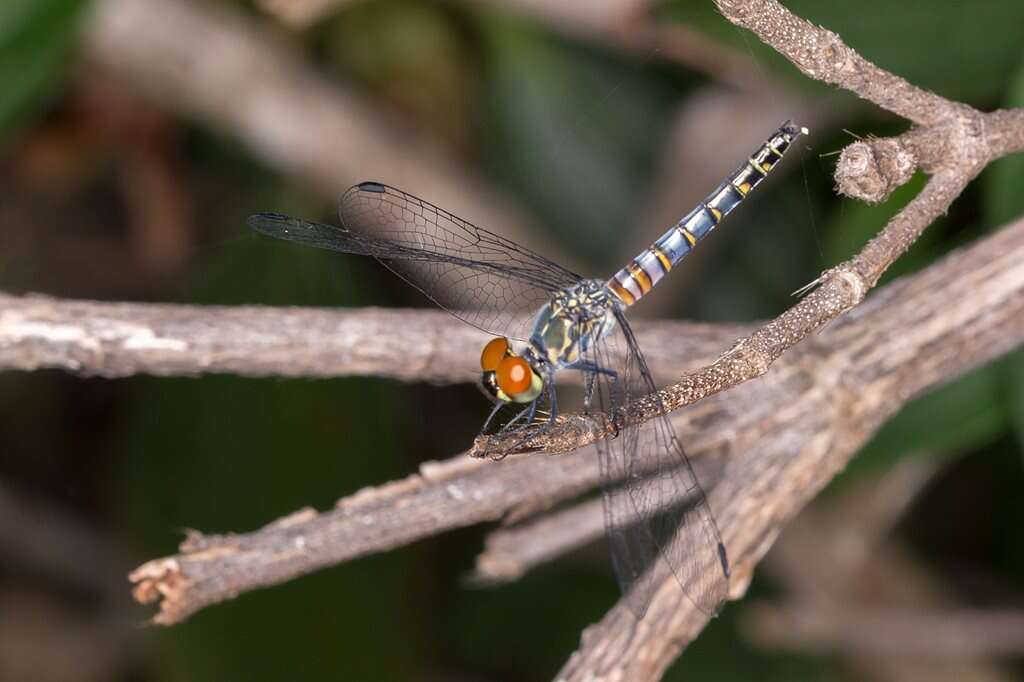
(35, 40)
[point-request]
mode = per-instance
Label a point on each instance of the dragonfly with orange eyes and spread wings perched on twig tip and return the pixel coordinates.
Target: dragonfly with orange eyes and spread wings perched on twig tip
(545, 320)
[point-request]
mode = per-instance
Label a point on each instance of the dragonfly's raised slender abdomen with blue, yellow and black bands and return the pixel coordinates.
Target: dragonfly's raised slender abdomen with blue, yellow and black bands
(641, 276)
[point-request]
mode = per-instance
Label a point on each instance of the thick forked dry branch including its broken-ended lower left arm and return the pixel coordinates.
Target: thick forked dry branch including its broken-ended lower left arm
(787, 436)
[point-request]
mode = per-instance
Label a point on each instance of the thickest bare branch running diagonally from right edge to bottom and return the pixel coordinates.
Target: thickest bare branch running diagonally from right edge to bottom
(847, 393)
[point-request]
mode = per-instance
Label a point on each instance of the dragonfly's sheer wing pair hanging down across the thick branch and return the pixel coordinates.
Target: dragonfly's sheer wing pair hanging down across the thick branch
(657, 517)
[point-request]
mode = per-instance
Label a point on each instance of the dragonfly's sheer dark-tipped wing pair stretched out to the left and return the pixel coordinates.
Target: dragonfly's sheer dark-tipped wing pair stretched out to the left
(483, 279)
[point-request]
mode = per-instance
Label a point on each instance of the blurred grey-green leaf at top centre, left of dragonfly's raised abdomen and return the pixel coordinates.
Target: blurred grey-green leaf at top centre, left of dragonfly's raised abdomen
(575, 133)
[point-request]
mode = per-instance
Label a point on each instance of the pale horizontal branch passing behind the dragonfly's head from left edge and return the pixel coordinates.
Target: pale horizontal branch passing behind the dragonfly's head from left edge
(96, 338)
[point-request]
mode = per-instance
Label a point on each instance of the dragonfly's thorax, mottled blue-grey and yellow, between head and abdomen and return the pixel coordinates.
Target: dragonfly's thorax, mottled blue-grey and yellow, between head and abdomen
(572, 322)
